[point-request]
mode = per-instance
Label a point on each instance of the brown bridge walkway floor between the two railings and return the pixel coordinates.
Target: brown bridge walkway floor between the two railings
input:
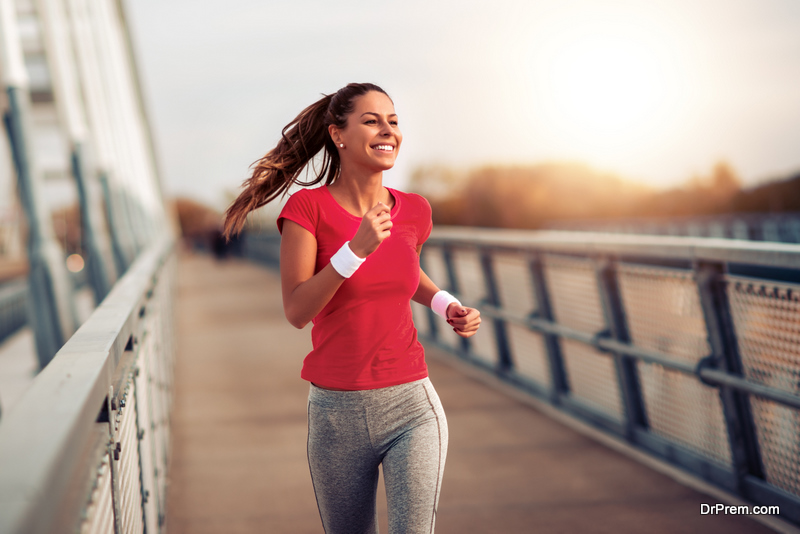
(239, 433)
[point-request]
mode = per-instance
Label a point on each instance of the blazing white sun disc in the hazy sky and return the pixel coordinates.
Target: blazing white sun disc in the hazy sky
(611, 88)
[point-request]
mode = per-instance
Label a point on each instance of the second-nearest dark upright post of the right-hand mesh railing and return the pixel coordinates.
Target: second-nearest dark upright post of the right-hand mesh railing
(627, 375)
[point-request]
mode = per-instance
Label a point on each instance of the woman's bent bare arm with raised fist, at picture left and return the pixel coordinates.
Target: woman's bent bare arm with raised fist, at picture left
(305, 294)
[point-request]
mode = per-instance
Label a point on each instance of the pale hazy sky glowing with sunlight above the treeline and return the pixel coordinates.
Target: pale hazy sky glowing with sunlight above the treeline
(654, 91)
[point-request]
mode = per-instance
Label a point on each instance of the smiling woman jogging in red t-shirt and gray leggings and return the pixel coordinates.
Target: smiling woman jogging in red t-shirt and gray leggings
(350, 264)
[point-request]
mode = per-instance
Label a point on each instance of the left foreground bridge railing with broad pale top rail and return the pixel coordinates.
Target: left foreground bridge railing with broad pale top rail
(85, 448)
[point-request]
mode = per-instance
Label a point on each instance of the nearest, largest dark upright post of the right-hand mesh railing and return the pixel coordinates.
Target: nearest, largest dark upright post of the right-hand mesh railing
(722, 339)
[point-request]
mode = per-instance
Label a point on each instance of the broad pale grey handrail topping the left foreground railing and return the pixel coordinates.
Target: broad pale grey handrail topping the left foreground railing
(51, 434)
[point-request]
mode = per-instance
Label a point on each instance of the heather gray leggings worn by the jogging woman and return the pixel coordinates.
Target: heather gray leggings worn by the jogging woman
(350, 433)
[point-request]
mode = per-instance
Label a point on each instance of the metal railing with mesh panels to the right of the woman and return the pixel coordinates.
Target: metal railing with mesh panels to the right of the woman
(687, 348)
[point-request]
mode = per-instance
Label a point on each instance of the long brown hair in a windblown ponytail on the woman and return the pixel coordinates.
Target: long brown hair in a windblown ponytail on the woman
(301, 140)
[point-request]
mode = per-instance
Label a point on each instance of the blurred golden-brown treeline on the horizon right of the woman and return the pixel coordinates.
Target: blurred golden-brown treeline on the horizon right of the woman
(532, 196)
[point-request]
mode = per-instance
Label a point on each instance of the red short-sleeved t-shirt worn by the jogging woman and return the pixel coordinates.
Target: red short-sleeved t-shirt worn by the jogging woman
(365, 338)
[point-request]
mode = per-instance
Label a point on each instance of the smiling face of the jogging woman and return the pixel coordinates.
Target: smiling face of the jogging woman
(371, 137)
